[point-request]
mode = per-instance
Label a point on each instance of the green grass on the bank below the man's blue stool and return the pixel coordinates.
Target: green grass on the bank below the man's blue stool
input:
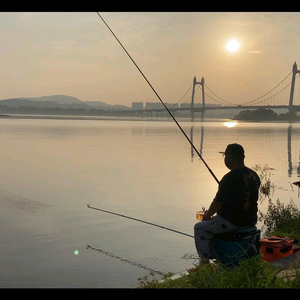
(250, 273)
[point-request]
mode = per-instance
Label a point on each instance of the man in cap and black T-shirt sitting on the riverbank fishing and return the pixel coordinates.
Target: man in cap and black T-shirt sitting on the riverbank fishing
(235, 202)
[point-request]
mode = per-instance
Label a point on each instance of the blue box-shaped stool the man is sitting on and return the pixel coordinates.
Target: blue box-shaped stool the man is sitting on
(230, 247)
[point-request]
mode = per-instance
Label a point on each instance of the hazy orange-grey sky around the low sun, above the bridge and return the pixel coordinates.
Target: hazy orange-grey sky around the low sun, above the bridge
(74, 54)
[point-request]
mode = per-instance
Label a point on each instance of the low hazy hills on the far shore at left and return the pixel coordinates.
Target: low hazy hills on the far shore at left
(61, 101)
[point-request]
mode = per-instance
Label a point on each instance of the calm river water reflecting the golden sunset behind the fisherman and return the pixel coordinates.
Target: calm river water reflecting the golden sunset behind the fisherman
(52, 168)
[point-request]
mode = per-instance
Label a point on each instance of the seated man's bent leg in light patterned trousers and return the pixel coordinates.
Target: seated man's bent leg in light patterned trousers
(204, 232)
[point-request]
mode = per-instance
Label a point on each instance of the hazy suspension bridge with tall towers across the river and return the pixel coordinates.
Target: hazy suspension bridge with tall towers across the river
(281, 96)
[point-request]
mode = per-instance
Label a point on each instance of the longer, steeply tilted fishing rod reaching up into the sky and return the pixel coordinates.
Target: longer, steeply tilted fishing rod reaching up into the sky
(211, 172)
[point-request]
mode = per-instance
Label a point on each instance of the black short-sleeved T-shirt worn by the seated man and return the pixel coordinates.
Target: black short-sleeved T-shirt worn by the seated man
(237, 187)
